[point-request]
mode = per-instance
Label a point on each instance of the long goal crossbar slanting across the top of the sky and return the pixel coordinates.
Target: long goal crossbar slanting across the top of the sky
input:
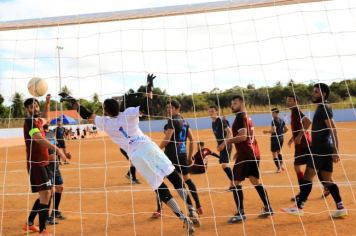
(145, 13)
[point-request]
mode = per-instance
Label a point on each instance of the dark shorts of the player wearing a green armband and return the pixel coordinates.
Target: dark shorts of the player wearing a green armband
(40, 178)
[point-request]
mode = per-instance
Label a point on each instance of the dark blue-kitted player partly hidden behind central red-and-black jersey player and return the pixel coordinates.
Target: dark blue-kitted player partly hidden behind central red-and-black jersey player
(222, 132)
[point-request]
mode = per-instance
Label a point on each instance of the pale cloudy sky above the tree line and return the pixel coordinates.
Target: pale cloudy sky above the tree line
(189, 53)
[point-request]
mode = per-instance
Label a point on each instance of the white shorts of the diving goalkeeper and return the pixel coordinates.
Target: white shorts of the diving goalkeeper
(151, 162)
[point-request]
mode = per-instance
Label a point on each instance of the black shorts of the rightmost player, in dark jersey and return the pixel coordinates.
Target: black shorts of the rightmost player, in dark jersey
(321, 160)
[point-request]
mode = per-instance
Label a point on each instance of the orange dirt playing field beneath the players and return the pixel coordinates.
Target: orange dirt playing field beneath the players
(99, 200)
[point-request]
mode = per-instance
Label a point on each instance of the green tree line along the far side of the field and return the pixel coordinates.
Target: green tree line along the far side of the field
(261, 96)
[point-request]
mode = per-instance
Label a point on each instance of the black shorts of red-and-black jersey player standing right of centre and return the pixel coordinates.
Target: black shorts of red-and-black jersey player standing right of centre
(245, 169)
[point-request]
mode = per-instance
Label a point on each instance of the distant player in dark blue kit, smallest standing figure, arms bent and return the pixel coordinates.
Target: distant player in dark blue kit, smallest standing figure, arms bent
(277, 131)
